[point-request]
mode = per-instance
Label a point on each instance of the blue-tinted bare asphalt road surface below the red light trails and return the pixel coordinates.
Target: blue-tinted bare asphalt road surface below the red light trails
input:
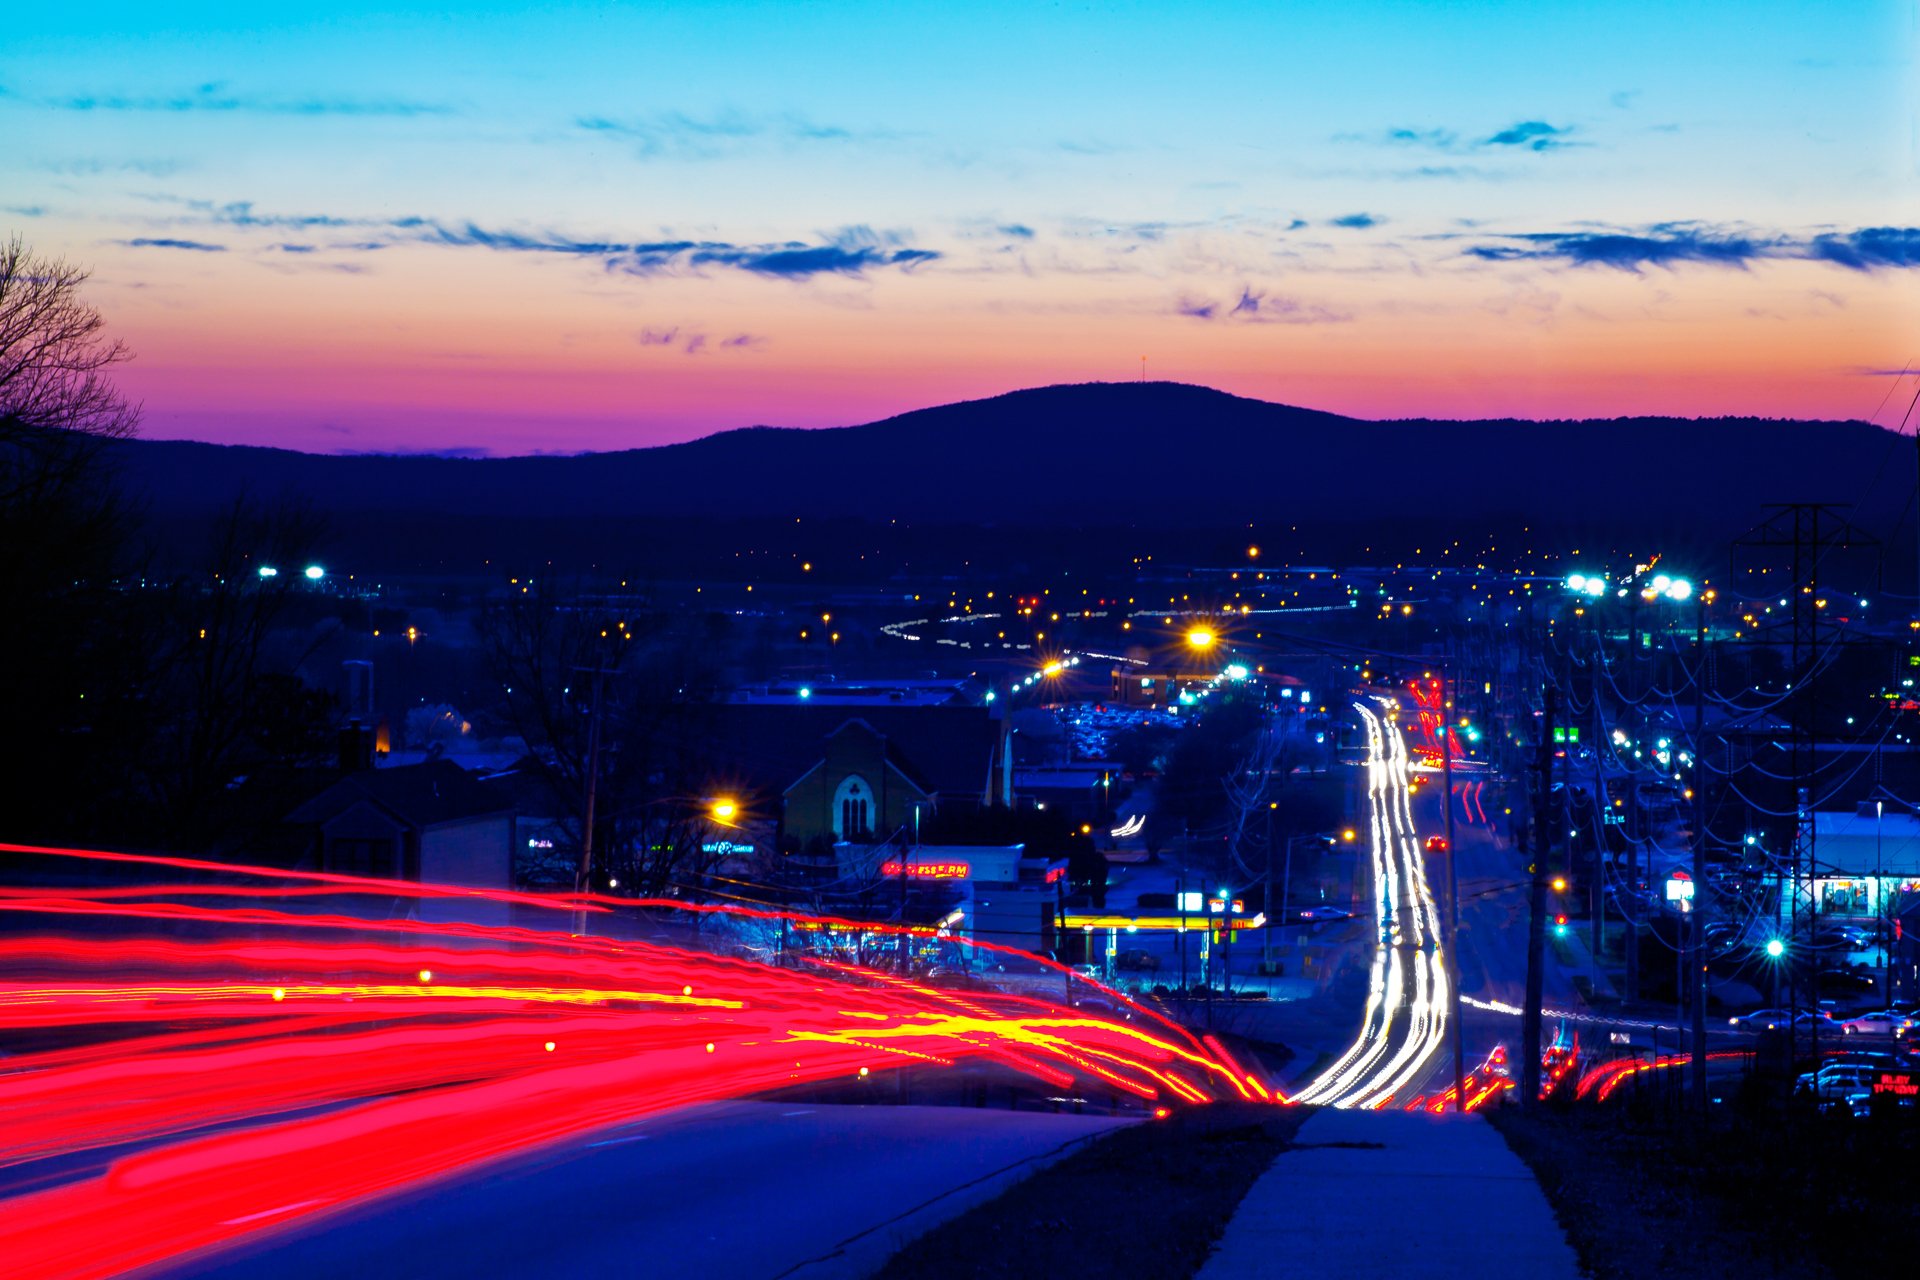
(729, 1191)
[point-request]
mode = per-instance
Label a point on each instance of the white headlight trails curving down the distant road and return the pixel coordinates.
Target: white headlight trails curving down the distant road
(1408, 995)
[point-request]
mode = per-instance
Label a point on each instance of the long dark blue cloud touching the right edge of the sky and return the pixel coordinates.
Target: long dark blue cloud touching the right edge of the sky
(1677, 245)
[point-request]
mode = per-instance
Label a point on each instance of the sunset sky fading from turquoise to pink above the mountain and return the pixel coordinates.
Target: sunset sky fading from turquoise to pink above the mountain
(516, 229)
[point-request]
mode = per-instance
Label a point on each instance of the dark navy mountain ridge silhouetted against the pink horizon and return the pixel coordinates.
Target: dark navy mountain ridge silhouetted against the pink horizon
(1151, 456)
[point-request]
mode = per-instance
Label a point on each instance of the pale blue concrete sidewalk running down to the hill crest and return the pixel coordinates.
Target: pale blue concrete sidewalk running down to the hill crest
(1395, 1195)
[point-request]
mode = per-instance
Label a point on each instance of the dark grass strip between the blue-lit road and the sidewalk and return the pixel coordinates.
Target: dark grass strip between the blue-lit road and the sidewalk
(1147, 1202)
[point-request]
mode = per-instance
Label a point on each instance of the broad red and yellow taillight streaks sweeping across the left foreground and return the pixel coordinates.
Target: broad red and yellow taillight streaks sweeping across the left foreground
(212, 1060)
